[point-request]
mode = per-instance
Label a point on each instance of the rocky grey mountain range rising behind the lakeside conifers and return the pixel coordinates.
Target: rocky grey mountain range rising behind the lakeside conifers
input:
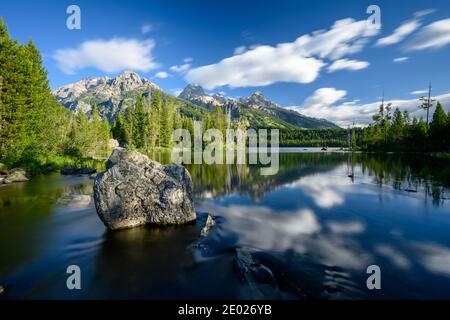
(114, 95)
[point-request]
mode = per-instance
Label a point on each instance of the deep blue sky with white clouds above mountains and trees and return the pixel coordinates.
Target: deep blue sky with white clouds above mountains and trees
(318, 75)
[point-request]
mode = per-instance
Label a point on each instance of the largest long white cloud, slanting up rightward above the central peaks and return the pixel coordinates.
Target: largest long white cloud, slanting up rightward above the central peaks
(299, 61)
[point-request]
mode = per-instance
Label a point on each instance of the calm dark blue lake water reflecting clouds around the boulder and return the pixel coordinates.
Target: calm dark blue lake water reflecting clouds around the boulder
(308, 232)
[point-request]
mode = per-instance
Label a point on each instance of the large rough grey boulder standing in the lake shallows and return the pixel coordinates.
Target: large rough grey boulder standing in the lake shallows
(136, 190)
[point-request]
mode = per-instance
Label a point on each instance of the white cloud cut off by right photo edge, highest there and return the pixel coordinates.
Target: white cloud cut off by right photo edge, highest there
(432, 36)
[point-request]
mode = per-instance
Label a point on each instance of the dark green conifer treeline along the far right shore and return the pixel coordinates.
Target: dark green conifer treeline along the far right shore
(390, 131)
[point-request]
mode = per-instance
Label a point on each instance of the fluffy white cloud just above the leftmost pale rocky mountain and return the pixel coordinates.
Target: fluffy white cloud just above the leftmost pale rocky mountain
(109, 56)
